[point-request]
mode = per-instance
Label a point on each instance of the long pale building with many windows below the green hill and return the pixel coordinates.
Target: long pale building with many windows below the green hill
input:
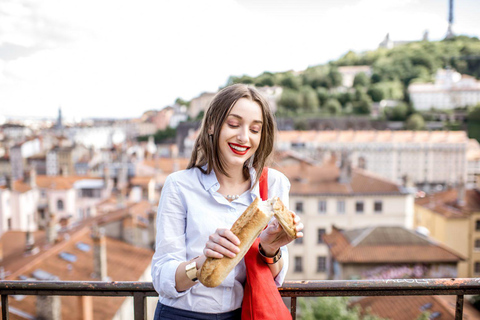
(430, 158)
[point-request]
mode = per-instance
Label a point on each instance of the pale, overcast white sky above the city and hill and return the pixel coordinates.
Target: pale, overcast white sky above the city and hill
(120, 58)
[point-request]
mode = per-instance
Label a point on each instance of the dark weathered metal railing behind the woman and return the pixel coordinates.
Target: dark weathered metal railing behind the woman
(293, 289)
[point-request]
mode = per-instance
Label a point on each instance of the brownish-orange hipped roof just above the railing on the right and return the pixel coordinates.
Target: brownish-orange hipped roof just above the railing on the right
(386, 245)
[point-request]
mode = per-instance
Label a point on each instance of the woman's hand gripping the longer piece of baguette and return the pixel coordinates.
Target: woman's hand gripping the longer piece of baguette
(222, 243)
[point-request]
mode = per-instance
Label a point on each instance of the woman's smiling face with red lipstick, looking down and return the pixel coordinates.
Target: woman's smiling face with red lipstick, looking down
(240, 134)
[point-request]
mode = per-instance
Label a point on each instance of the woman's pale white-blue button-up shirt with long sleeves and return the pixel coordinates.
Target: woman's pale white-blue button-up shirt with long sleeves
(190, 210)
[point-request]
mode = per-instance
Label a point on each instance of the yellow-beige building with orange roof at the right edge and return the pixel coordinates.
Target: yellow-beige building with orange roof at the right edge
(455, 221)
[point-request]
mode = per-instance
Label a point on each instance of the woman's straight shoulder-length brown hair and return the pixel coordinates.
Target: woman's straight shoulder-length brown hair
(206, 151)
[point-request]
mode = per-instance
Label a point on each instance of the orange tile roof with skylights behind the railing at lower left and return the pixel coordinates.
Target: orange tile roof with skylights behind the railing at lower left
(124, 263)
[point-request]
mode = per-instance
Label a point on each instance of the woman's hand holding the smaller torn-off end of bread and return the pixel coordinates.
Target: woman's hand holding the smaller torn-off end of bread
(274, 237)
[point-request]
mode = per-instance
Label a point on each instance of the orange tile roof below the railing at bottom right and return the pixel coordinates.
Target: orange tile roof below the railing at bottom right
(409, 307)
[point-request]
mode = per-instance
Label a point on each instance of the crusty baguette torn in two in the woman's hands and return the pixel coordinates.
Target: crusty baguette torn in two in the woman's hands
(247, 228)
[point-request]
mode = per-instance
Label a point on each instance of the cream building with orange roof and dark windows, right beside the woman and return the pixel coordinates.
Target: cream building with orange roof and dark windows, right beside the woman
(326, 195)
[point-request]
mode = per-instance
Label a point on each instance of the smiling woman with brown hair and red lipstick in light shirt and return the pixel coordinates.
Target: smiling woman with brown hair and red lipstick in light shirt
(199, 205)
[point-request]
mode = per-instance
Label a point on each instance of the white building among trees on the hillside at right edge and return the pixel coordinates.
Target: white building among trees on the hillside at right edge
(450, 90)
